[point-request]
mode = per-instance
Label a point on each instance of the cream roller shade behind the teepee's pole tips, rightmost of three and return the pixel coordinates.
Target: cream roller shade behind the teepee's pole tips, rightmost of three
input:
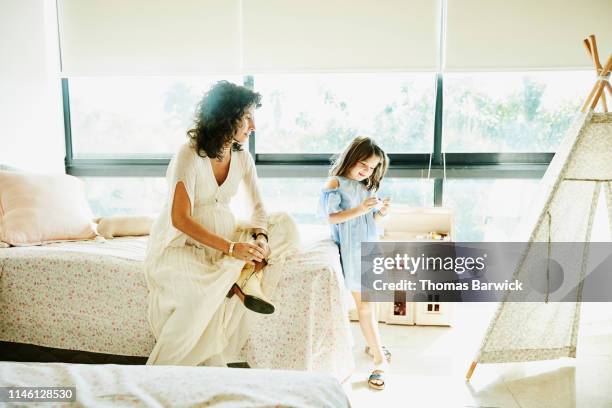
(525, 34)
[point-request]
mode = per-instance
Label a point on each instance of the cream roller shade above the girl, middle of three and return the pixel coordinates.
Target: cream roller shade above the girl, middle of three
(340, 35)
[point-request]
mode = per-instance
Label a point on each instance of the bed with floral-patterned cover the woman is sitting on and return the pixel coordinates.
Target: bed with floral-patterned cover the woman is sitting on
(91, 296)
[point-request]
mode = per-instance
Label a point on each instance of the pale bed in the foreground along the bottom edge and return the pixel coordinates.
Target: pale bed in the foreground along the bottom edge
(163, 386)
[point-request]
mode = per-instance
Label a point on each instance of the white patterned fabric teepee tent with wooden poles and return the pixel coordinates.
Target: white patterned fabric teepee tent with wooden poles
(564, 212)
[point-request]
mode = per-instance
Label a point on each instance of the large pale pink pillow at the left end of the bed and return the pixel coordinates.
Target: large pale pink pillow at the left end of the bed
(37, 209)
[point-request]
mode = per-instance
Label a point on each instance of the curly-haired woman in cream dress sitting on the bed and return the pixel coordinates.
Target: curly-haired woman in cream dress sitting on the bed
(198, 257)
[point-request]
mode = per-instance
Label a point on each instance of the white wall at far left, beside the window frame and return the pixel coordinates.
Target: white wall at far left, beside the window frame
(31, 127)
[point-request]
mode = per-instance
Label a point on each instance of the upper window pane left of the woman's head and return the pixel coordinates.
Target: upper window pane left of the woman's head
(133, 115)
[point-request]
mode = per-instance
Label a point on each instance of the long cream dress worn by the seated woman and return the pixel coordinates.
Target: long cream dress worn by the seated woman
(192, 319)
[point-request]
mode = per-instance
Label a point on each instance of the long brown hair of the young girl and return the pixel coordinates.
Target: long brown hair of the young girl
(361, 148)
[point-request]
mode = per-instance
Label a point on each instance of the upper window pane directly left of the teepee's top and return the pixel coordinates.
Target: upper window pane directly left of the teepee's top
(511, 112)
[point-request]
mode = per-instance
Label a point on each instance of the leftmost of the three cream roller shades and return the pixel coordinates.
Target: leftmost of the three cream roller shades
(119, 37)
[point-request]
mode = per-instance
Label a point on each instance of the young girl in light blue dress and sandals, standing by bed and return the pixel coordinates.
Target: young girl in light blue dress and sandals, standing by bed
(351, 208)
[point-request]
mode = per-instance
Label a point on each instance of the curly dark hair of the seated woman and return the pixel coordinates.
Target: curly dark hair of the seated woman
(218, 116)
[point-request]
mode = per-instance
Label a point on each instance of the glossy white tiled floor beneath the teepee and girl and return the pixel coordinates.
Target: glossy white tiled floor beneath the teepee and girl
(429, 366)
